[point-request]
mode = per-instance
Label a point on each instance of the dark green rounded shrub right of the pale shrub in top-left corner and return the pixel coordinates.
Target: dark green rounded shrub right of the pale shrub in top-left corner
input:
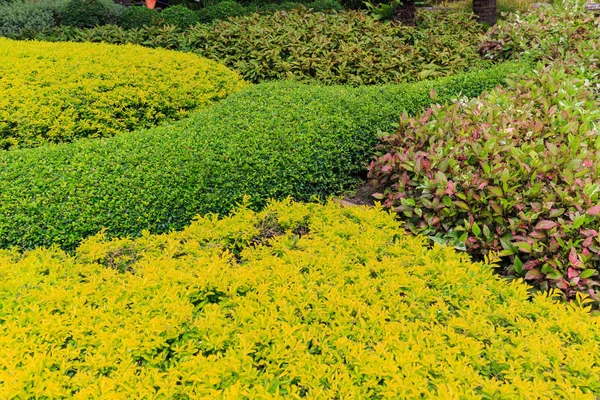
(89, 13)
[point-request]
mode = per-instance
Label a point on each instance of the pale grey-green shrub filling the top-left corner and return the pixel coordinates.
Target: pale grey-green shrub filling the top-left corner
(18, 17)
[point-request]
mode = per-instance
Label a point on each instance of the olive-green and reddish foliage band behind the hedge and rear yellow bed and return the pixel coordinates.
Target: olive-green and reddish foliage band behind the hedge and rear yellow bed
(335, 48)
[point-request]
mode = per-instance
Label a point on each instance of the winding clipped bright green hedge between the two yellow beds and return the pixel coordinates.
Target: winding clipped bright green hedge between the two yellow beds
(269, 141)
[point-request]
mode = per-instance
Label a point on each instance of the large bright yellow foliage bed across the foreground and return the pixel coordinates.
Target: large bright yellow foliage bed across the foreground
(300, 300)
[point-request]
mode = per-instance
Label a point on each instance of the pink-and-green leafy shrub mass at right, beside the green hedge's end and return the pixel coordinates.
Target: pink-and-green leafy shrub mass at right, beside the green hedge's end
(516, 171)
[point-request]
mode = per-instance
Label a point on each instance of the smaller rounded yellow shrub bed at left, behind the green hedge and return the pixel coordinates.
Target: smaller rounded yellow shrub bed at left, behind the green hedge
(56, 92)
